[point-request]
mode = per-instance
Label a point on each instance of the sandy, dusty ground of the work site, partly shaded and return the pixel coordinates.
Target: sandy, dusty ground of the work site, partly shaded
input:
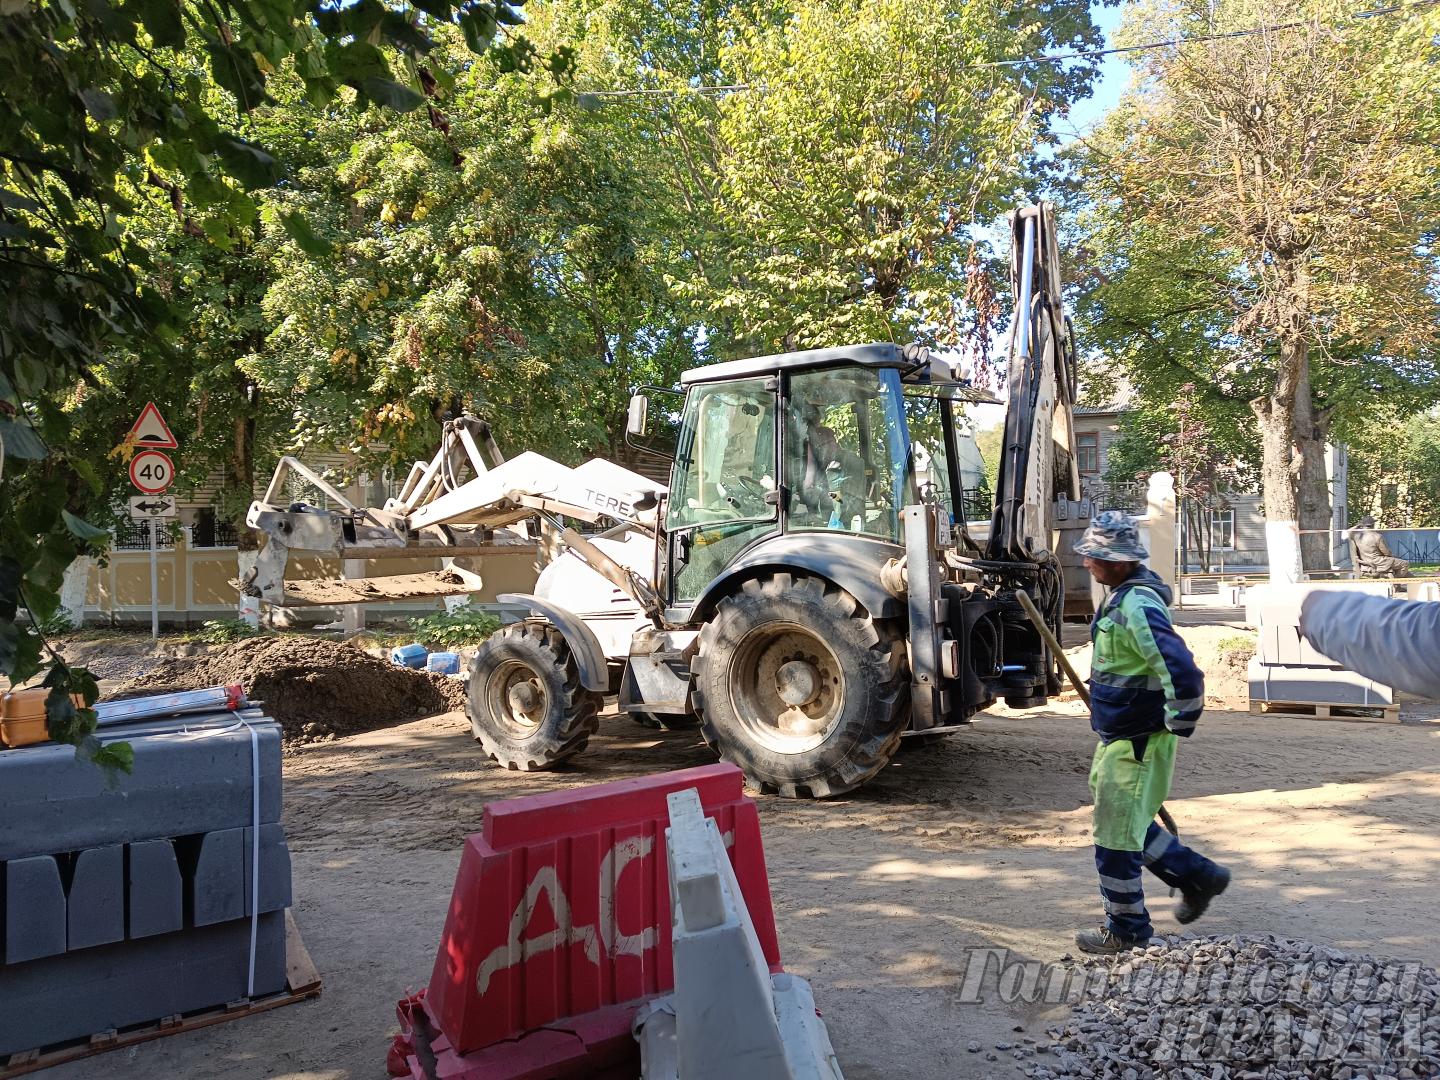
(883, 898)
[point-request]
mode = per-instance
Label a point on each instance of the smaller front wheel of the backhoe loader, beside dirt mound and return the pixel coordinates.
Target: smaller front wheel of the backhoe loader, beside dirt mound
(528, 706)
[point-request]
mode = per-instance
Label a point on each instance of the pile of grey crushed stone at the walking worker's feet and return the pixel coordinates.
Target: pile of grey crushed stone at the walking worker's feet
(1254, 1007)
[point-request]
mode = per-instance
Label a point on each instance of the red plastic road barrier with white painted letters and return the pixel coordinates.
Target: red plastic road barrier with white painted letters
(562, 905)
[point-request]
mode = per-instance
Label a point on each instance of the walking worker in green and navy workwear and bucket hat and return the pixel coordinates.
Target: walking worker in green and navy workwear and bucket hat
(1146, 695)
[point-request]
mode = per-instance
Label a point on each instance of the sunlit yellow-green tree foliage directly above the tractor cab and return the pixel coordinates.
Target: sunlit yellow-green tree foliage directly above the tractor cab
(840, 197)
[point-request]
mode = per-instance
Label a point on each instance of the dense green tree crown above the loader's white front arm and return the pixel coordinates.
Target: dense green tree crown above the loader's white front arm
(512, 263)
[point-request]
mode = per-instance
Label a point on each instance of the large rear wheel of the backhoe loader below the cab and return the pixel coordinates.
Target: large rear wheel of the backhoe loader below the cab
(798, 686)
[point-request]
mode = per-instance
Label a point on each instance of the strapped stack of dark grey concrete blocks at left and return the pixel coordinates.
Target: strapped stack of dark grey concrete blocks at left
(129, 898)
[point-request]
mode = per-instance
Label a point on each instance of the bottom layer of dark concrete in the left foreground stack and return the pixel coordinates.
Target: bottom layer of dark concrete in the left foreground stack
(119, 986)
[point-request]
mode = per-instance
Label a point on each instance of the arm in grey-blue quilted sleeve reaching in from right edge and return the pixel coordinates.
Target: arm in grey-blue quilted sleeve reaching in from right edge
(1396, 643)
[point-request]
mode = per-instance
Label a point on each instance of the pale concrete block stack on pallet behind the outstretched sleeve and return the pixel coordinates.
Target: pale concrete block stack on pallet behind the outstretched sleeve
(1287, 669)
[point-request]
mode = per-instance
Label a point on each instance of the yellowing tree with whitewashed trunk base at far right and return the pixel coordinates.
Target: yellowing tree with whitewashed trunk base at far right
(1292, 175)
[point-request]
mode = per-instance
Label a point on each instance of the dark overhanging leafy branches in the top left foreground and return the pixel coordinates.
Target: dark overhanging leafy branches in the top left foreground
(99, 104)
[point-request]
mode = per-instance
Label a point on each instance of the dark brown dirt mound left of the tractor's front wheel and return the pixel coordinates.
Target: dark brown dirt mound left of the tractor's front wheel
(315, 688)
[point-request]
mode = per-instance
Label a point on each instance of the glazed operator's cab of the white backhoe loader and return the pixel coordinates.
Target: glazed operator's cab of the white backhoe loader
(832, 443)
